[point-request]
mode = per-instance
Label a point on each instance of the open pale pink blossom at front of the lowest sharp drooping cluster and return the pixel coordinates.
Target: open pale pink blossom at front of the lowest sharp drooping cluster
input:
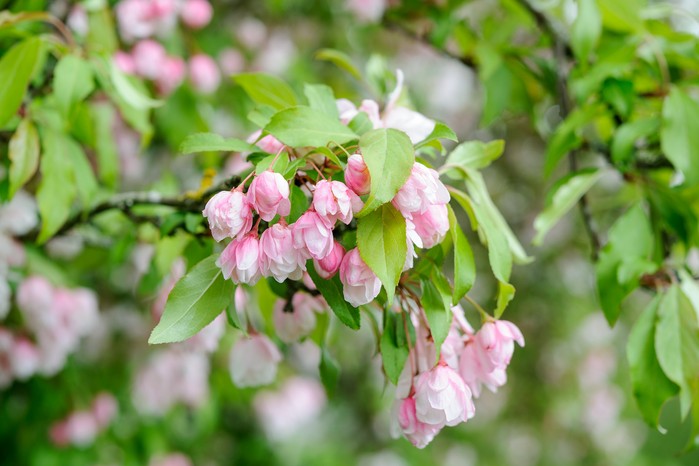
(442, 398)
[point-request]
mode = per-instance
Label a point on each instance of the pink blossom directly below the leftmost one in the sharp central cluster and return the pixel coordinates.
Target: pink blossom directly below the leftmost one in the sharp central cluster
(240, 260)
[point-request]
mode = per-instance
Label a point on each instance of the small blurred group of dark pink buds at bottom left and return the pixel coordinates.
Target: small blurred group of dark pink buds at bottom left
(81, 427)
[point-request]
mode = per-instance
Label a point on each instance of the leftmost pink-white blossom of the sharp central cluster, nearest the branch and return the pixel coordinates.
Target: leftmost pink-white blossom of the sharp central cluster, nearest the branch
(229, 214)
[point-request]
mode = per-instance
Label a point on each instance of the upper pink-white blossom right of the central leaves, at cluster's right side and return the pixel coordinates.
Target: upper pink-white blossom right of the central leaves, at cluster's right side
(421, 189)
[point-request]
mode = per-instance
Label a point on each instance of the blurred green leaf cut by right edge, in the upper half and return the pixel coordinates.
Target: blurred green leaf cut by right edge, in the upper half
(679, 135)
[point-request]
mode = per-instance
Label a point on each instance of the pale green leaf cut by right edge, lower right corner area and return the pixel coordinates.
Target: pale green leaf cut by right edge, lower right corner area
(677, 343)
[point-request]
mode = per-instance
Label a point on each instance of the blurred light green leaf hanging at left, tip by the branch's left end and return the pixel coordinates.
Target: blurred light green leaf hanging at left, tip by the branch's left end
(57, 190)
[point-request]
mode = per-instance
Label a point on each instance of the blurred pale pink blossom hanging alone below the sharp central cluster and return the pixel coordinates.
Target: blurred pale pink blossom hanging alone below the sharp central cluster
(253, 361)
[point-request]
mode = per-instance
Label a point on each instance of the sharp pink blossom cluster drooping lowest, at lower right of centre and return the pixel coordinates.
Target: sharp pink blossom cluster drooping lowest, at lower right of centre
(432, 396)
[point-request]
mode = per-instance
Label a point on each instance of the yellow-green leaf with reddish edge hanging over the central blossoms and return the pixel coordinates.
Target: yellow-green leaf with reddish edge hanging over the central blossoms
(382, 244)
